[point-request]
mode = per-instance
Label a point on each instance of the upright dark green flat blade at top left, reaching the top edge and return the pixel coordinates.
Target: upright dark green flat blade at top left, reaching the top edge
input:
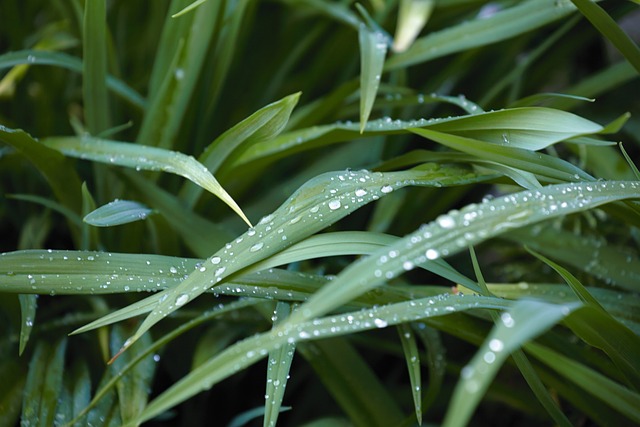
(94, 73)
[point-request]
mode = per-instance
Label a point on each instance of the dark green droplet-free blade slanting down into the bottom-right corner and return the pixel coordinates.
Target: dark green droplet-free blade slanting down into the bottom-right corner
(613, 394)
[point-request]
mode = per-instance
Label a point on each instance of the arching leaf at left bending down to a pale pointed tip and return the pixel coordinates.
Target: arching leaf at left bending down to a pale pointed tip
(141, 157)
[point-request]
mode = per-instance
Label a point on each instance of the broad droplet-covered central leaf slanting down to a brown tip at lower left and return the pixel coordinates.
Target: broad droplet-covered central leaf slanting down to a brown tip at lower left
(316, 205)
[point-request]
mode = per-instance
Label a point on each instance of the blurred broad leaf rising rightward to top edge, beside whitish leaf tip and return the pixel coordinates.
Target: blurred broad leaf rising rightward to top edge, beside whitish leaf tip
(519, 19)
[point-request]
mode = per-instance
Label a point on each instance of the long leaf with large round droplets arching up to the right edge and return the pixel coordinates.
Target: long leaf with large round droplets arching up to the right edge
(457, 230)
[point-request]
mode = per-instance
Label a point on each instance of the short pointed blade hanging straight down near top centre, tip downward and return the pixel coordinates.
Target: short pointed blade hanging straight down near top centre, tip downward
(373, 49)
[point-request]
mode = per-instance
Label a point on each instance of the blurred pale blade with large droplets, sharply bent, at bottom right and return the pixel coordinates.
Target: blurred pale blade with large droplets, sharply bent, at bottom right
(523, 322)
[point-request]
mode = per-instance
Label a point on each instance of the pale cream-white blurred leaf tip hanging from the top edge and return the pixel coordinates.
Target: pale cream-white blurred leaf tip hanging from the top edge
(412, 17)
